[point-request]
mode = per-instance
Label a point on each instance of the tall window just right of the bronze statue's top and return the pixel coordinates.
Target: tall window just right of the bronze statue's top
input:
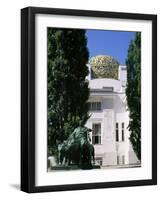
(96, 133)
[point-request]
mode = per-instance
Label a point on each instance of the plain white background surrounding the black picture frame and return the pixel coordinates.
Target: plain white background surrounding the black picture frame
(10, 99)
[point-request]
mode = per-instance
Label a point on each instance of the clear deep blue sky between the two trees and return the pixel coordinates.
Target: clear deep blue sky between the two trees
(113, 43)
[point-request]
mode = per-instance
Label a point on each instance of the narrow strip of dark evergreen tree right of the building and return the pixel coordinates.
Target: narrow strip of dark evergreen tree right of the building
(133, 92)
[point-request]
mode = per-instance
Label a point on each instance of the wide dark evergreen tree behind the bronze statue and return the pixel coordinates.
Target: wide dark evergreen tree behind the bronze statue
(67, 89)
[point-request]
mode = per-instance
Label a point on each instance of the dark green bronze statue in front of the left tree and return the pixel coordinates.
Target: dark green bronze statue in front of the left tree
(77, 149)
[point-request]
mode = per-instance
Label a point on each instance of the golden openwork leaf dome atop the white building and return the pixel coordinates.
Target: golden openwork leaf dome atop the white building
(104, 66)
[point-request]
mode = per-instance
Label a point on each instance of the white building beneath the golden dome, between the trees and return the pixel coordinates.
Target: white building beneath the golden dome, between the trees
(109, 120)
